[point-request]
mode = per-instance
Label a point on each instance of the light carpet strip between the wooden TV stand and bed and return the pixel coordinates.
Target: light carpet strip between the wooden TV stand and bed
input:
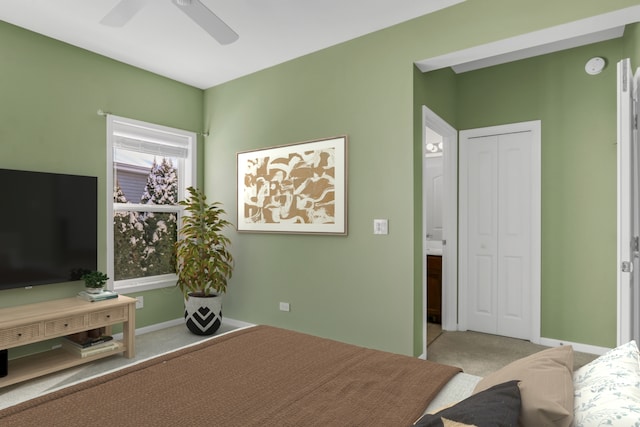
(148, 345)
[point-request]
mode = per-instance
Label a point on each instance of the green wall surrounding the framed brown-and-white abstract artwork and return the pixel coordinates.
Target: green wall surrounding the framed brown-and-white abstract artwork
(361, 288)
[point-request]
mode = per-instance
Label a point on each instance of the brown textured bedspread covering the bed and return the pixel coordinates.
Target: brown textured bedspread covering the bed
(256, 376)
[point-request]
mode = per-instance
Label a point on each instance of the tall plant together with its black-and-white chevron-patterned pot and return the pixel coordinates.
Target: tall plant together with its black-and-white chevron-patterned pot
(204, 263)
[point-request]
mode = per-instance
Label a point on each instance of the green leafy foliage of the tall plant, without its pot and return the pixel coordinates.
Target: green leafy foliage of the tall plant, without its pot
(204, 263)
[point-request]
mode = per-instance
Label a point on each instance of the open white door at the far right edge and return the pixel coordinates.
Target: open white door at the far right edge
(628, 222)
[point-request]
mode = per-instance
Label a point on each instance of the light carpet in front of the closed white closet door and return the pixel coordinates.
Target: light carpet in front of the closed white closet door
(481, 354)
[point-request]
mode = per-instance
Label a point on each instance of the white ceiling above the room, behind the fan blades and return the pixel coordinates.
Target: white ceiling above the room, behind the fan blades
(162, 39)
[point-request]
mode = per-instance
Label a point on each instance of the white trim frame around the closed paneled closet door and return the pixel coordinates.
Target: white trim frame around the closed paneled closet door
(535, 128)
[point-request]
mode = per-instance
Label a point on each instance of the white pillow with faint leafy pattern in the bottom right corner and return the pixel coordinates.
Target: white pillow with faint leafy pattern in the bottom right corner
(607, 390)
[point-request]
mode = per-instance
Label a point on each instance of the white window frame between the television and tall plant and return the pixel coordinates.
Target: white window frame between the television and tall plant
(135, 131)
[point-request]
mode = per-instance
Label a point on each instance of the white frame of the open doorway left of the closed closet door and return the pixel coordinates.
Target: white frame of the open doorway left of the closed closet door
(450, 222)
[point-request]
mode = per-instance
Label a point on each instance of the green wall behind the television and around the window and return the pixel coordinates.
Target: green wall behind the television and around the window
(49, 96)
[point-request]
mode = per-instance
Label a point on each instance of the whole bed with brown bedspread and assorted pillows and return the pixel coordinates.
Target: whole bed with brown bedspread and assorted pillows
(266, 376)
